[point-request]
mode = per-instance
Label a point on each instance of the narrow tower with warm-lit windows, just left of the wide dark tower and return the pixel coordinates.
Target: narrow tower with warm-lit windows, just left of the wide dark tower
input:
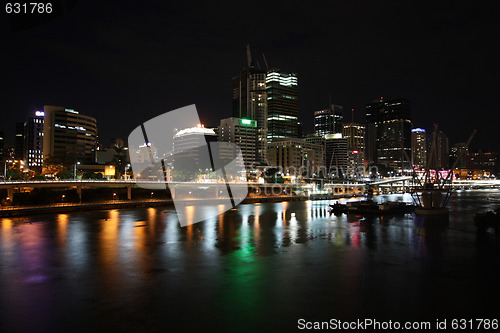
(355, 135)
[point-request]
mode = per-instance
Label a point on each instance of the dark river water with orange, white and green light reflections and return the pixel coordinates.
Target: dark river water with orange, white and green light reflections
(259, 268)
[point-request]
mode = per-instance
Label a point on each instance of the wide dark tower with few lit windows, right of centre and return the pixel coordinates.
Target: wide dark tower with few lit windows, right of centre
(389, 132)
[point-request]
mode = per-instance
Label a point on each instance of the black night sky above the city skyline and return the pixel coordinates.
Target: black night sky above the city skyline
(125, 62)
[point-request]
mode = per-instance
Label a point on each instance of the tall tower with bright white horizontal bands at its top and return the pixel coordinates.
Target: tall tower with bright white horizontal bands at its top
(282, 105)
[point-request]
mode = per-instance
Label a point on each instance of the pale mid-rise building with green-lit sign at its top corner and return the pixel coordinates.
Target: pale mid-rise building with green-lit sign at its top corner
(242, 132)
